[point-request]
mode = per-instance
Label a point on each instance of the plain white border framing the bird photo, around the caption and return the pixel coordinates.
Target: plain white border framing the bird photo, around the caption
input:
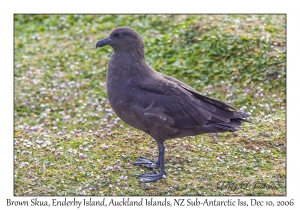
(153, 6)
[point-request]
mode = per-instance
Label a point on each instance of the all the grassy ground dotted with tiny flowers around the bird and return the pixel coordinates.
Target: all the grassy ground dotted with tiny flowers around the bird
(68, 141)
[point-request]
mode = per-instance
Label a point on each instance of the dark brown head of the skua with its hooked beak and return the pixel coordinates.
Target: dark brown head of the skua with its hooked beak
(123, 39)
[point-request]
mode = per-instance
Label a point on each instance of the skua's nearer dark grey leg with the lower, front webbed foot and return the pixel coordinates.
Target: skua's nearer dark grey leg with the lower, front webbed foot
(153, 177)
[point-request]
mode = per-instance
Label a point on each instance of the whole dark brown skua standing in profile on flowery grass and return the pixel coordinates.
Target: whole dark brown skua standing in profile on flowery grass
(158, 104)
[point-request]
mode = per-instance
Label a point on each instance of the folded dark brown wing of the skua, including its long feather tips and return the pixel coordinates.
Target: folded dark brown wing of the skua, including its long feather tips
(170, 102)
